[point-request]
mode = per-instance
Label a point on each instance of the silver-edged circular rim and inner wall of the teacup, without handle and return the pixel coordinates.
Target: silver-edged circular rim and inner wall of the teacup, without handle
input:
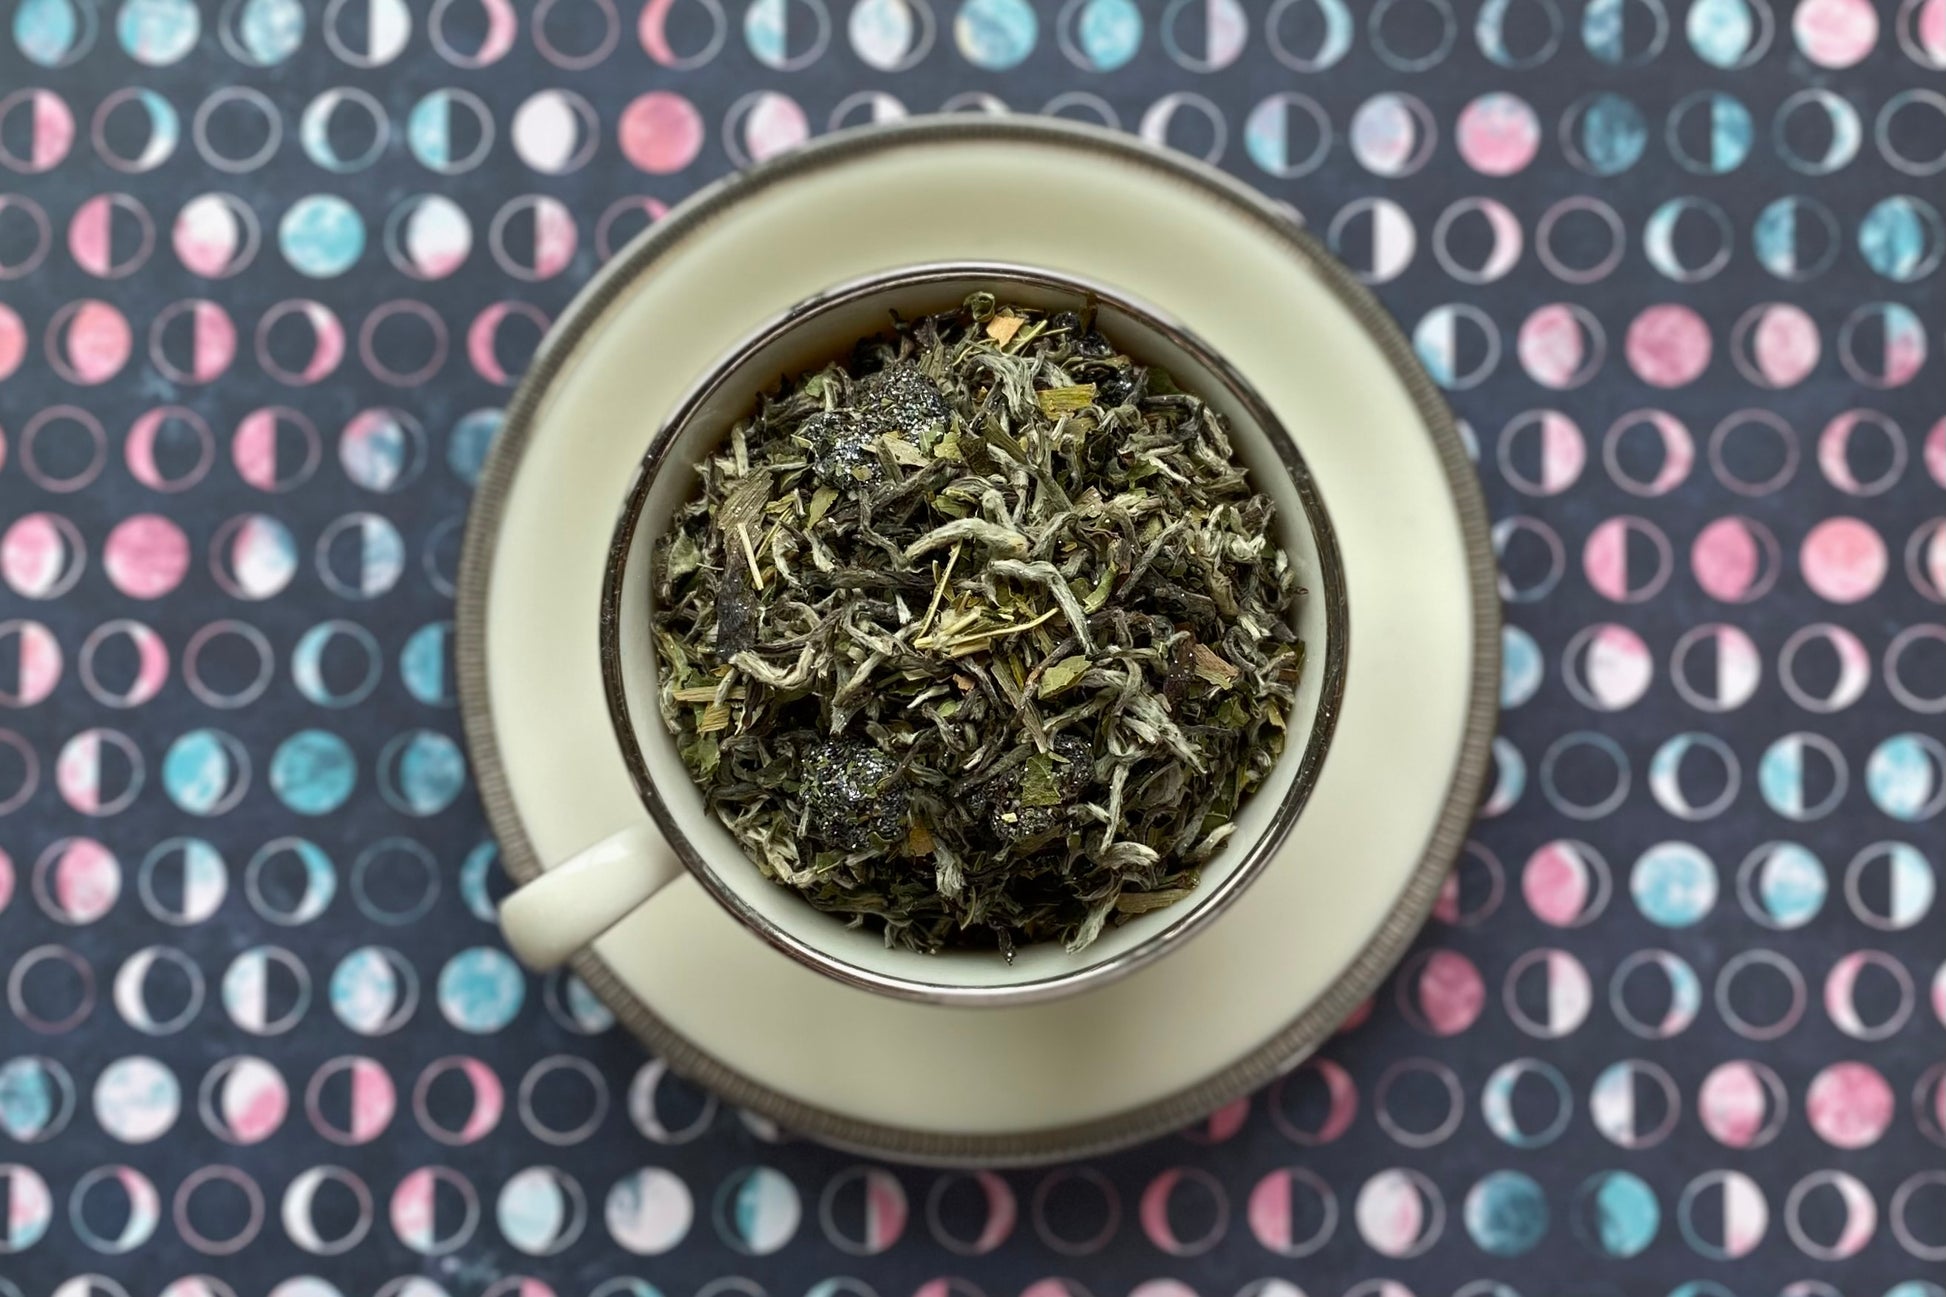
(1324, 585)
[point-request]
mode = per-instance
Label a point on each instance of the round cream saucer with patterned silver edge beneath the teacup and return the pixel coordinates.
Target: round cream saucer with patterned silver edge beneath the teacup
(1276, 975)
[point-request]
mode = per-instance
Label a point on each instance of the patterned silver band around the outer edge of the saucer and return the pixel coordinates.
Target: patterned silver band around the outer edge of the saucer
(1351, 986)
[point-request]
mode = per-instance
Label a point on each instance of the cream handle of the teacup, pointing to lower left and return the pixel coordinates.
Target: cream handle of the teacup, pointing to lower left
(573, 905)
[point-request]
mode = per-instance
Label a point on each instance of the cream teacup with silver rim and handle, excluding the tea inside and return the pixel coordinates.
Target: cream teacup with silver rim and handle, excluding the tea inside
(581, 899)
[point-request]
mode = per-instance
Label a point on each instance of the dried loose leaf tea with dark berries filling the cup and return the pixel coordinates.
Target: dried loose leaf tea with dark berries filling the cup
(980, 636)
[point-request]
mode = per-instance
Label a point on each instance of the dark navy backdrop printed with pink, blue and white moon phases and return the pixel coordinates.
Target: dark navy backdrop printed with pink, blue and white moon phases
(268, 274)
